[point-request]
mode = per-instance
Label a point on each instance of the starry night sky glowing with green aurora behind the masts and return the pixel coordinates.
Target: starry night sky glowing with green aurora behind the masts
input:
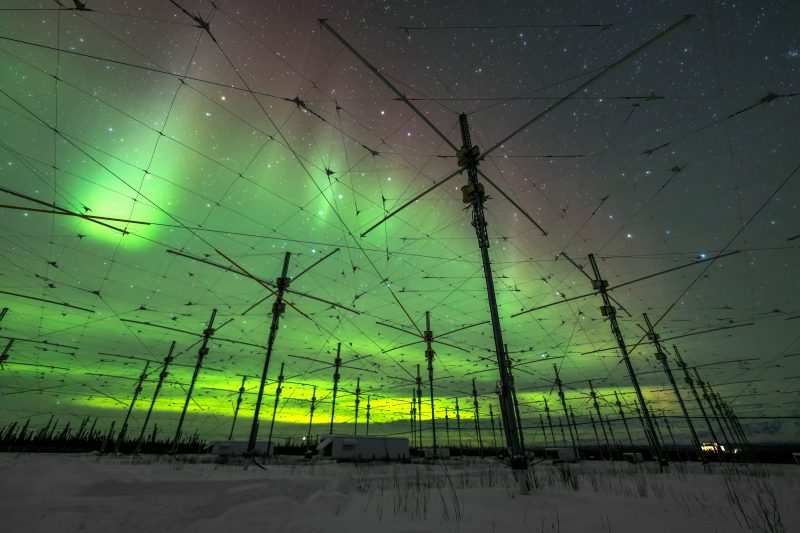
(261, 134)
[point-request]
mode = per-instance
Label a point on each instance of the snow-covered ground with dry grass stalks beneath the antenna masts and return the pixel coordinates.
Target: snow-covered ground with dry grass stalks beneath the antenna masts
(65, 493)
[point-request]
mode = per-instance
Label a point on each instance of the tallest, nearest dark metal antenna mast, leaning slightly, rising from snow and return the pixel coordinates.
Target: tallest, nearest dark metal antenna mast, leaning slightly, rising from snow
(473, 193)
